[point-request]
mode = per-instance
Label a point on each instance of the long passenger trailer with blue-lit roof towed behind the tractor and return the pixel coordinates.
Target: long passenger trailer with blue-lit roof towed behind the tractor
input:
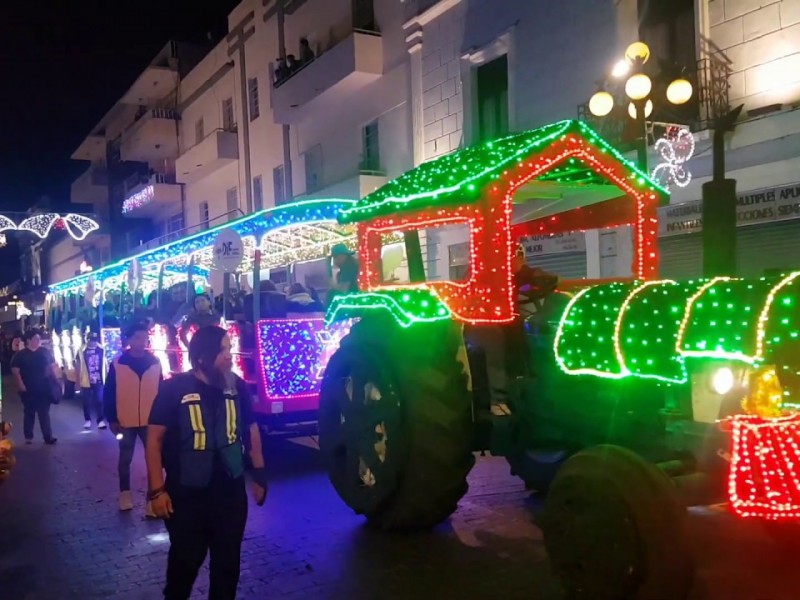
(282, 355)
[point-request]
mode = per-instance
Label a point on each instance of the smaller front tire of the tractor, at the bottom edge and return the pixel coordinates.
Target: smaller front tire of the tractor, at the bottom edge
(614, 529)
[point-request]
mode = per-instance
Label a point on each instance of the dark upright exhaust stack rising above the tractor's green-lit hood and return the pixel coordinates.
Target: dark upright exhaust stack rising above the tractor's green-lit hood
(719, 206)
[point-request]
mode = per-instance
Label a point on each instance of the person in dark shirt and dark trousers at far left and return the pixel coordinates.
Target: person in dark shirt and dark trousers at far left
(36, 376)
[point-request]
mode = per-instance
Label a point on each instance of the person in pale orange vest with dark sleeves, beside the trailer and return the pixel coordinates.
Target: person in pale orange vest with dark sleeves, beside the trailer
(131, 386)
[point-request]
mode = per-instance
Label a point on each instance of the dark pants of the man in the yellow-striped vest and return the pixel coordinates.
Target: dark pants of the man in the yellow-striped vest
(206, 521)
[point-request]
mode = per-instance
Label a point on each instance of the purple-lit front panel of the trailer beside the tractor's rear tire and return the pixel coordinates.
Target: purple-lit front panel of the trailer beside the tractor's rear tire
(294, 354)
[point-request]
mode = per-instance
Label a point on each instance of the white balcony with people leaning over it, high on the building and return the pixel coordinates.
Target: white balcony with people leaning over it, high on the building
(334, 77)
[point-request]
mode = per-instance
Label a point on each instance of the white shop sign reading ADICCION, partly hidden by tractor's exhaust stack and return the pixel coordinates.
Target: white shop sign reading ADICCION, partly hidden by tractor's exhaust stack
(753, 208)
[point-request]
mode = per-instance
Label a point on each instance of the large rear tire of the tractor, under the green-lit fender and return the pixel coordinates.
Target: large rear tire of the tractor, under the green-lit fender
(395, 423)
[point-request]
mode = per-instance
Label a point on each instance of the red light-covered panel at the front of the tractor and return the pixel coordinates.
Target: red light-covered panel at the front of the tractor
(764, 479)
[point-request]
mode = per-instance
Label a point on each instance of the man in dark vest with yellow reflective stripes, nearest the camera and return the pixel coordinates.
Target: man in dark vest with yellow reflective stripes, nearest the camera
(201, 425)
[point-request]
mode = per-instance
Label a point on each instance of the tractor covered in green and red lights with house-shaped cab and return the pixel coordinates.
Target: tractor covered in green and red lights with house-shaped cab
(627, 401)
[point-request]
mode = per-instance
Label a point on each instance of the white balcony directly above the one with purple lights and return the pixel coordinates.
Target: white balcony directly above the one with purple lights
(152, 136)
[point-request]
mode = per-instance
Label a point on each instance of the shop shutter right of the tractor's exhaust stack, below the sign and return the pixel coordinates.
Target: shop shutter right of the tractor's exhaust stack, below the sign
(768, 247)
